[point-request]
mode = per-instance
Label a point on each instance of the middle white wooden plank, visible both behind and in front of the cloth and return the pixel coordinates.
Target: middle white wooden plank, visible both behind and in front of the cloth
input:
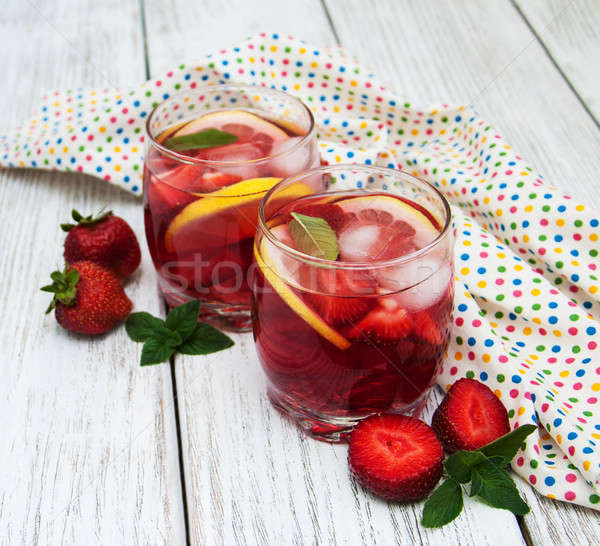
(251, 476)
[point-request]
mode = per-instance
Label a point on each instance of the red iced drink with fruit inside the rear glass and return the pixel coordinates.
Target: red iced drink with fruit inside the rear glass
(200, 218)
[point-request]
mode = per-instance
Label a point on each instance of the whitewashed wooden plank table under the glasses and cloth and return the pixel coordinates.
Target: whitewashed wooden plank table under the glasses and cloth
(95, 449)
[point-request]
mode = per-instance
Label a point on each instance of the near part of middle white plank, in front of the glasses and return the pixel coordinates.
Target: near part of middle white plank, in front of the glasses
(253, 478)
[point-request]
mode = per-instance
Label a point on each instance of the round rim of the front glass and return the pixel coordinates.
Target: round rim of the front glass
(321, 262)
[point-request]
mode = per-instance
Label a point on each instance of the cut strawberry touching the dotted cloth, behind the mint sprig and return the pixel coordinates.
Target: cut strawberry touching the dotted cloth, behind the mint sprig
(469, 417)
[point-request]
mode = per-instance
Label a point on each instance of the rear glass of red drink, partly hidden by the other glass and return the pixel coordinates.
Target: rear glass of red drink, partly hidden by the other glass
(211, 154)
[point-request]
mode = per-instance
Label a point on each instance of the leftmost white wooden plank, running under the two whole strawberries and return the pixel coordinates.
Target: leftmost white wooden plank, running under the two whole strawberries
(88, 444)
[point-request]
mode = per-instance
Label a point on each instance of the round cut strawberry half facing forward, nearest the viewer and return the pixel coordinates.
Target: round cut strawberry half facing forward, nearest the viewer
(396, 457)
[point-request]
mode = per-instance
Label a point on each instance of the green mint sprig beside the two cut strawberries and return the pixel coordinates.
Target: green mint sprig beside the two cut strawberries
(485, 470)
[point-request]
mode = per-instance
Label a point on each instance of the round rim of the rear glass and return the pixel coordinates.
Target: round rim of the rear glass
(185, 159)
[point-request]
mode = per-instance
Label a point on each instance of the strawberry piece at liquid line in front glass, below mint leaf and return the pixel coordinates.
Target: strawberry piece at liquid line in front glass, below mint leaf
(335, 303)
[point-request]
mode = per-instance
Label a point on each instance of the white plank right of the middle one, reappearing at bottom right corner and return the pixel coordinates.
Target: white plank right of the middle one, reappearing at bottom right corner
(483, 53)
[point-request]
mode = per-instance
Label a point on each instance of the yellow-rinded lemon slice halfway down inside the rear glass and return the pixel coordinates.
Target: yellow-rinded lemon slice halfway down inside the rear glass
(240, 200)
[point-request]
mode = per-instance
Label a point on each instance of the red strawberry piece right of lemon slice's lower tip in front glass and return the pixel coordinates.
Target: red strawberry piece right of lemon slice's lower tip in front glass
(388, 322)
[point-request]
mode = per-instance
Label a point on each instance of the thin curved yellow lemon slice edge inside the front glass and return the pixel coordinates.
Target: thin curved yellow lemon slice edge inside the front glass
(266, 263)
